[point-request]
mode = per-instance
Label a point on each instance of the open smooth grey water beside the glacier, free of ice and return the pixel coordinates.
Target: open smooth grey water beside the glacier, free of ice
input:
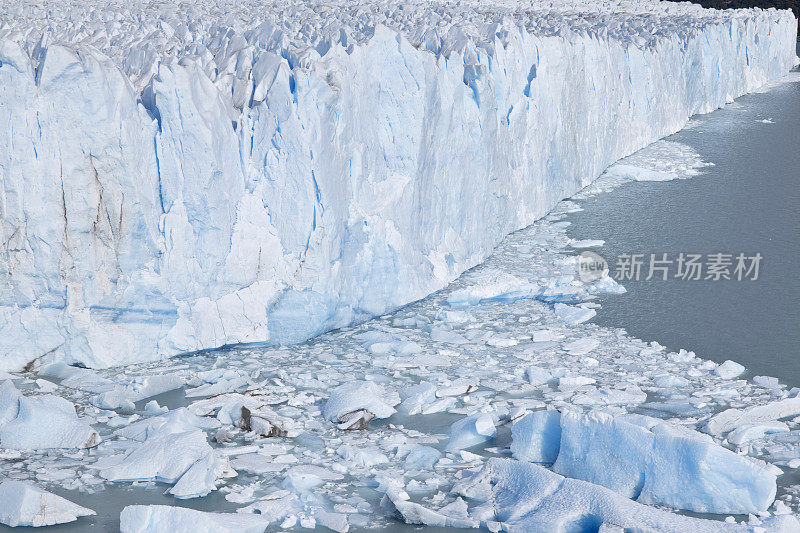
(749, 201)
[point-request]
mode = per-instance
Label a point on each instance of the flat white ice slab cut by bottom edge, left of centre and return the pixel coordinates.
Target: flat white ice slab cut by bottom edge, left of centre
(163, 518)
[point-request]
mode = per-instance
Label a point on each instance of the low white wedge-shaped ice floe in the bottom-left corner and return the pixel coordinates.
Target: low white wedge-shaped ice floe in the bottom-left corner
(25, 504)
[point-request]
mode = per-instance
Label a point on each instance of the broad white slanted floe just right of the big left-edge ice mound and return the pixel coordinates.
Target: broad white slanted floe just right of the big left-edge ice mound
(162, 457)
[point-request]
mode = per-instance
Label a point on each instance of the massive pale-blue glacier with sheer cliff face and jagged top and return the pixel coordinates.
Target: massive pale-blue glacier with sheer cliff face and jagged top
(180, 179)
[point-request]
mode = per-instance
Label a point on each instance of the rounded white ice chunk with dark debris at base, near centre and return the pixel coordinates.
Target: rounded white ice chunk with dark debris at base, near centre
(354, 404)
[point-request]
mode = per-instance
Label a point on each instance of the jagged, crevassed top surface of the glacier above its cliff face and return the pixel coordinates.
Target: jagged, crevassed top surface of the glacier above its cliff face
(138, 34)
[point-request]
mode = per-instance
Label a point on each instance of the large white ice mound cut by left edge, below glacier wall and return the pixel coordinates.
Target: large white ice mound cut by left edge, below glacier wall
(41, 422)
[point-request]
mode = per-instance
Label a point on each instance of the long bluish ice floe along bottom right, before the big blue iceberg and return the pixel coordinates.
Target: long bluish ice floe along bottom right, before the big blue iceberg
(519, 496)
